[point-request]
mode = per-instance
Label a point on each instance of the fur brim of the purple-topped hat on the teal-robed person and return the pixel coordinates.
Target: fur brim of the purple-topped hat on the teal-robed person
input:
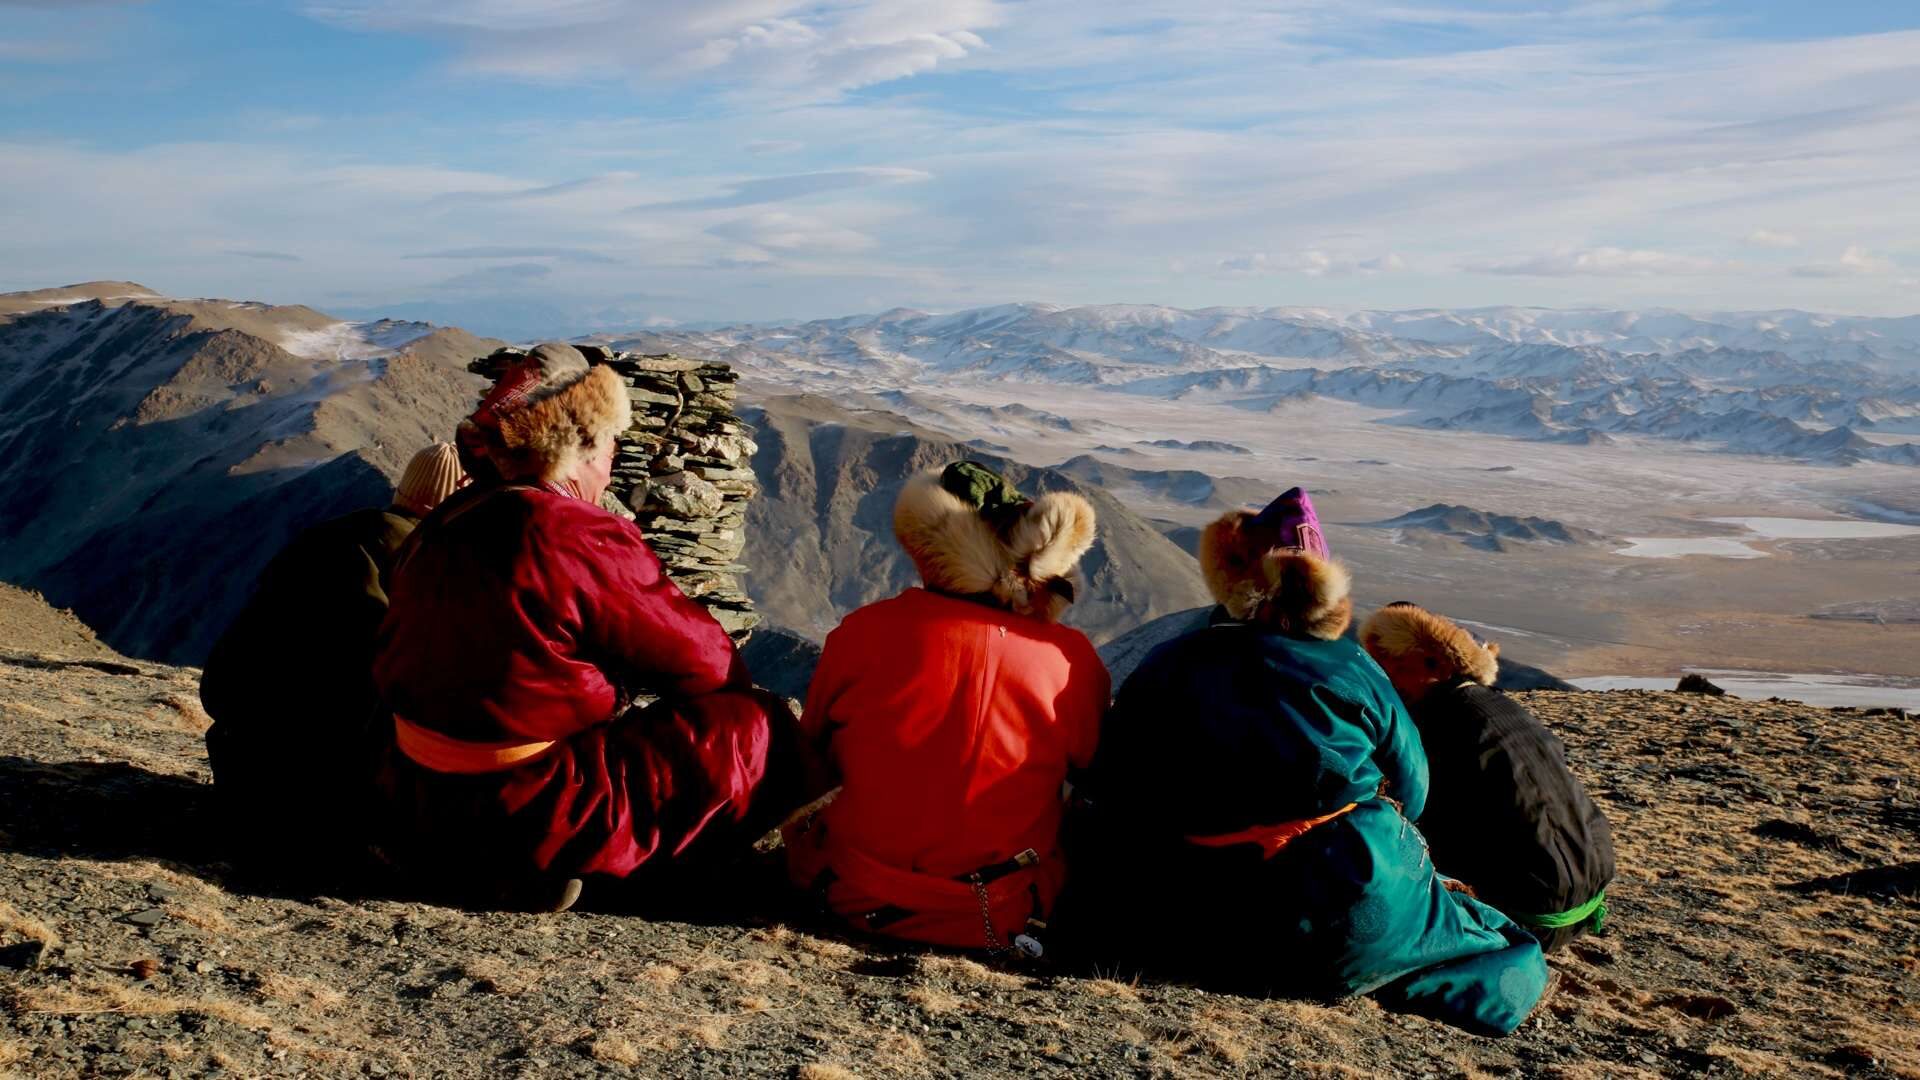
(1259, 579)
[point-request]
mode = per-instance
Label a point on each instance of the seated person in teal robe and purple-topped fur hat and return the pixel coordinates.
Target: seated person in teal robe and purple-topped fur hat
(1251, 810)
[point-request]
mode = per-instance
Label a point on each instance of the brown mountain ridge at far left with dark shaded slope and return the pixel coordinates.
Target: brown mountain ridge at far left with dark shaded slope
(156, 453)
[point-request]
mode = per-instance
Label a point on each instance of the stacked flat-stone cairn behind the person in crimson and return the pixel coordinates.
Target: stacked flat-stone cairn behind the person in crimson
(684, 472)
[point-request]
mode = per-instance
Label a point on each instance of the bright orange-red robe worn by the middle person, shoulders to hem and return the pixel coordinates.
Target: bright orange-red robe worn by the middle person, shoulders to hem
(953, 727)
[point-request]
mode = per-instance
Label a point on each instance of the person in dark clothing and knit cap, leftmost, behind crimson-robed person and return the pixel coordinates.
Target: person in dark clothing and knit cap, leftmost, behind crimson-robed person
(291, 683)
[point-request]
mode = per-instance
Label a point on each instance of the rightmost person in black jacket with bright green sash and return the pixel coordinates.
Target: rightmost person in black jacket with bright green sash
(1508, 818)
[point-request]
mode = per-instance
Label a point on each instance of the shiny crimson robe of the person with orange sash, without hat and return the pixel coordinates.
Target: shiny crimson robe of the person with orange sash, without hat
(529, 616)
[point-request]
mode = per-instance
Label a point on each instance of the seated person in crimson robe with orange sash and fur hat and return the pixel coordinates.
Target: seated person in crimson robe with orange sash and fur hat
(525, 624)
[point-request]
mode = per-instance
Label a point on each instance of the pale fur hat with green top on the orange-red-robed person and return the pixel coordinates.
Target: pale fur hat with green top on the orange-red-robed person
(971, 537)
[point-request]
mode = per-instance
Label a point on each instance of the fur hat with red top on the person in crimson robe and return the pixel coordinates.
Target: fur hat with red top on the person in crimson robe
(560, 424)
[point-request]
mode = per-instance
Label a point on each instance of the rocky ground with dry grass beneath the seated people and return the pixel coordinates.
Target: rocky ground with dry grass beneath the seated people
(1765, 923)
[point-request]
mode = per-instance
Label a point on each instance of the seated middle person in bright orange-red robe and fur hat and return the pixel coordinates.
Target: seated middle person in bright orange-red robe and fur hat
(953, 714)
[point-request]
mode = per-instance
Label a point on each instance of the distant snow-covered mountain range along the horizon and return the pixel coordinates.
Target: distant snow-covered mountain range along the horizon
(1781, 383)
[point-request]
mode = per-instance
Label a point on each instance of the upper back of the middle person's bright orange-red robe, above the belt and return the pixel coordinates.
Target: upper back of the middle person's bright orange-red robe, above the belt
(949, 743)
